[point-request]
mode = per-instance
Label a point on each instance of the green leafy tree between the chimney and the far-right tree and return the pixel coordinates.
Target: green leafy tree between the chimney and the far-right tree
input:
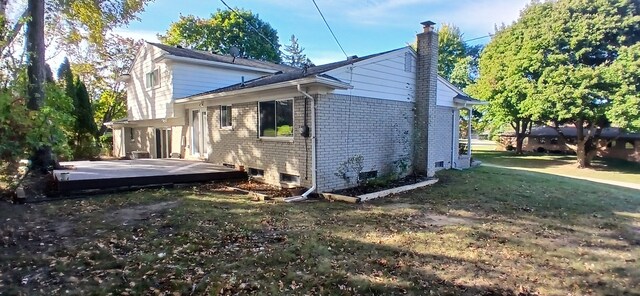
(508, 74)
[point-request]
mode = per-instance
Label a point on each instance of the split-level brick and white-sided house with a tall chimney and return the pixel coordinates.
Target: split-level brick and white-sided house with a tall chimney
(324, 127)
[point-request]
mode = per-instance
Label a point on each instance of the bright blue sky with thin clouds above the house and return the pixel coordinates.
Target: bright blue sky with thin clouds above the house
(362, 26)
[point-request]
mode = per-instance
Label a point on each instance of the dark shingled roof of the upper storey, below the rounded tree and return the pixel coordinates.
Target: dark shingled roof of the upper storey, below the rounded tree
(209, 56)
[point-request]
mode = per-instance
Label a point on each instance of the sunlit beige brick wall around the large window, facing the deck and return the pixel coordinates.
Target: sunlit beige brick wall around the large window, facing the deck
(241, 145)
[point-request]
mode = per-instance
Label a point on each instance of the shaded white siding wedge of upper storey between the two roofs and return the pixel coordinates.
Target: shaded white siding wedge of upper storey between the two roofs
(191, 79)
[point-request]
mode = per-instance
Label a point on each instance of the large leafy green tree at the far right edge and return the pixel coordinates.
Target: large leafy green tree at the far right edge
(589, 50)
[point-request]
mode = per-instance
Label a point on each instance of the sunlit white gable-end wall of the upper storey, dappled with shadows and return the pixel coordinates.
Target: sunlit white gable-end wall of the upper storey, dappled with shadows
(143, 103)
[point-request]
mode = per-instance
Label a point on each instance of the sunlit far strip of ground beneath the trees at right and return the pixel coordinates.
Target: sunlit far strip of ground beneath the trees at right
(603, 169)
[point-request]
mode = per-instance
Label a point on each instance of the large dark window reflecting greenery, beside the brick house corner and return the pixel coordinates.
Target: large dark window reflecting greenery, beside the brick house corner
(276, 118)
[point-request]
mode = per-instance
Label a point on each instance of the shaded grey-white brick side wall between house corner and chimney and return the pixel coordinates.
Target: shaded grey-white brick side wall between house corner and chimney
(379, 130)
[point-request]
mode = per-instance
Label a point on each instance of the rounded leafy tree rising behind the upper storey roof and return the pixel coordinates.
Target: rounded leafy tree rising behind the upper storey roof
(224, 30)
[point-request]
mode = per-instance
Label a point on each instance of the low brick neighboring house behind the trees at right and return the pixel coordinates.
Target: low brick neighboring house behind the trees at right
(612, 142)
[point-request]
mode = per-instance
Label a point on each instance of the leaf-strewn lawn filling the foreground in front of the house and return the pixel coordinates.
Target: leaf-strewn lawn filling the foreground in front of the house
(480, 232)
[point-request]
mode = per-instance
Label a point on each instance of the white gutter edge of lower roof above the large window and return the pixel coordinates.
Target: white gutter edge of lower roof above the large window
(297, 83)
